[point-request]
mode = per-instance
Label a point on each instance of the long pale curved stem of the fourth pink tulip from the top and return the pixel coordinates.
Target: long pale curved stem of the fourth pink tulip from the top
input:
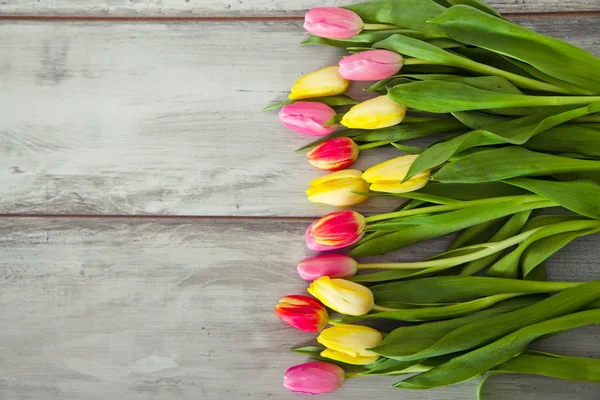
(488, 249)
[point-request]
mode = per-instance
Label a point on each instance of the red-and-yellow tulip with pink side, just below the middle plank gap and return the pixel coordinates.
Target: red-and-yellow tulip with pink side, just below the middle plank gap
(335, 230)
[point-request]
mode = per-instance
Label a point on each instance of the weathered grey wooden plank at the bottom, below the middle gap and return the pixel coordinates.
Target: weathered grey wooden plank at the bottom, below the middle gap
(164, 309)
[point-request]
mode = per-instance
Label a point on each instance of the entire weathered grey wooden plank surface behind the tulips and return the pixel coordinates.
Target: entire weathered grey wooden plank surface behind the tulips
(102, 122)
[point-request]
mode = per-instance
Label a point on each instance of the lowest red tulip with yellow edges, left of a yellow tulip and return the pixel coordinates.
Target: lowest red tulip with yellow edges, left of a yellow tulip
(302, 312)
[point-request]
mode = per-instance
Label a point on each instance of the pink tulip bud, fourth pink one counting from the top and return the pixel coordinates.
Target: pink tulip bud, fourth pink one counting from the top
(331, 265)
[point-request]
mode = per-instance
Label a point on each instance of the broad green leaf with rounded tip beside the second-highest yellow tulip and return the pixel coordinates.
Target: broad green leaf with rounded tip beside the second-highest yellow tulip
(445, 97)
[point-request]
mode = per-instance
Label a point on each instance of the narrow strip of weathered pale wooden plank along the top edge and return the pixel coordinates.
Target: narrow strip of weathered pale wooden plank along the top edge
(207, 8)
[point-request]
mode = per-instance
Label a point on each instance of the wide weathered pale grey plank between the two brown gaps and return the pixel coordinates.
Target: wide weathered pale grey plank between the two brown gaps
(164, 118)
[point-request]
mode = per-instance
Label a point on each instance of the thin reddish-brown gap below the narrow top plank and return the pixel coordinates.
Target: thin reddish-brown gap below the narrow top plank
(160, 19)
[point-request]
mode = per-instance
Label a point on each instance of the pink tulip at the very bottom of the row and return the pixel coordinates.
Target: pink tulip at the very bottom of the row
(314, 378)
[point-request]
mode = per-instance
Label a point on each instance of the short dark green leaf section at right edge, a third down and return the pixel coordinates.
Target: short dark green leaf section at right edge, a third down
(568, 138)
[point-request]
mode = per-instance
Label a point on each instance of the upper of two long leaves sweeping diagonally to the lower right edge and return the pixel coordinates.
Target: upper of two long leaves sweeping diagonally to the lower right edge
(479, 333)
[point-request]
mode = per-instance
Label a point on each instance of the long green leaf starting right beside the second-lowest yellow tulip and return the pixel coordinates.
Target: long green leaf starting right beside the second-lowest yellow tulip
(448, 289)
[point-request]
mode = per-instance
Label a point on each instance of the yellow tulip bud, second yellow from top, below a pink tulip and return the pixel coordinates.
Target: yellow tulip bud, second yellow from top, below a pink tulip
(376, 113)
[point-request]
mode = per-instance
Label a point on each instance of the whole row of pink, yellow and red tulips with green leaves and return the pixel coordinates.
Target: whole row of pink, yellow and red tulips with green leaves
(513, 166)
